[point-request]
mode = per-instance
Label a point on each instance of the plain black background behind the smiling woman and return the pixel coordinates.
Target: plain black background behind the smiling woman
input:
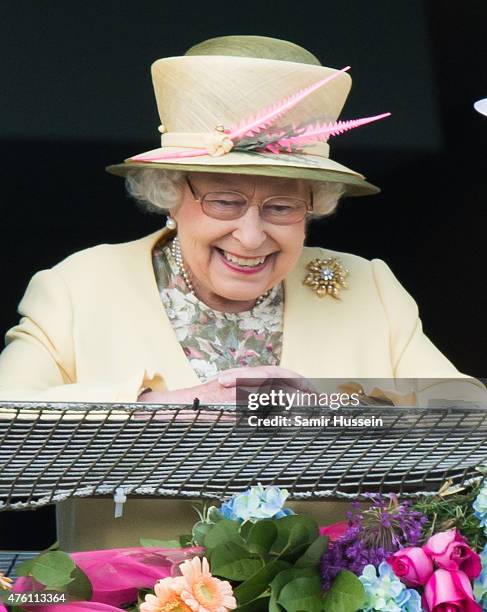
(76, 96)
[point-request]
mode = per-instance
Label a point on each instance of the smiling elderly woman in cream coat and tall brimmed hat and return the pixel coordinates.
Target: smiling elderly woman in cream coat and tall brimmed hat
(226, 289)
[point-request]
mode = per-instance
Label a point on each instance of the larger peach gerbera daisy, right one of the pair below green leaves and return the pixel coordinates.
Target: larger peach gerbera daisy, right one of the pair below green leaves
(202, 592)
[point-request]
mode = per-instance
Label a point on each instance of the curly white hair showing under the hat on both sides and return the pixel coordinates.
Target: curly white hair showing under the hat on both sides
(159, 190)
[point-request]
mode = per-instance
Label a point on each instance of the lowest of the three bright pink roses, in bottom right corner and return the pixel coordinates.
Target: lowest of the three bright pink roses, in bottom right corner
(449, 591)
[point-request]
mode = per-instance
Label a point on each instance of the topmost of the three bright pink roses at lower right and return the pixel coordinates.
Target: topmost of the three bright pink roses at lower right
(450, 551)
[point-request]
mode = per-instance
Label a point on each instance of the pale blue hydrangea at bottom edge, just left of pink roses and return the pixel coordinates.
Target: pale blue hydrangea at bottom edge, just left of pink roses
(385, 592)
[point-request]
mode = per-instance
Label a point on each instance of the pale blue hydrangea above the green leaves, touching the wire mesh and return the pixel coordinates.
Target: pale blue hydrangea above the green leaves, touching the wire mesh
(256, 503)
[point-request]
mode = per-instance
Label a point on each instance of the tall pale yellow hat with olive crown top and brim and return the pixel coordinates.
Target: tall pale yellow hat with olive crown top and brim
(222, 83)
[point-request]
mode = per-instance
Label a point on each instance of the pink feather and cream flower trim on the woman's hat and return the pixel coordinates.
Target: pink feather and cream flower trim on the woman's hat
(259, 134)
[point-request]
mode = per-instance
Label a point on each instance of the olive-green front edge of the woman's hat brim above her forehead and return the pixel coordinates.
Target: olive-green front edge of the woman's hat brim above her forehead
(354, 184)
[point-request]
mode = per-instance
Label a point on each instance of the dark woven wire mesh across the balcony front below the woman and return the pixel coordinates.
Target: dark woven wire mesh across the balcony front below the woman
(51, 452)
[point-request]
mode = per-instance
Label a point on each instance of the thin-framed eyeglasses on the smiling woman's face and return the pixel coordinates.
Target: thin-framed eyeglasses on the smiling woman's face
(230, 205)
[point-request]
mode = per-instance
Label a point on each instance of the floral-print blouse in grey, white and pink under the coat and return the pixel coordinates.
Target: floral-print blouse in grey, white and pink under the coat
(212, 340)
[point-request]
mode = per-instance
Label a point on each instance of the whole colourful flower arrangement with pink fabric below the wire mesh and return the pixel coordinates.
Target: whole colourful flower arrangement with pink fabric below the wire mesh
(252, 554)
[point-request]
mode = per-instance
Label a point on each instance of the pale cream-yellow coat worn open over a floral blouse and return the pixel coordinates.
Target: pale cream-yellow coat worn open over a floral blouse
(93, 329)
